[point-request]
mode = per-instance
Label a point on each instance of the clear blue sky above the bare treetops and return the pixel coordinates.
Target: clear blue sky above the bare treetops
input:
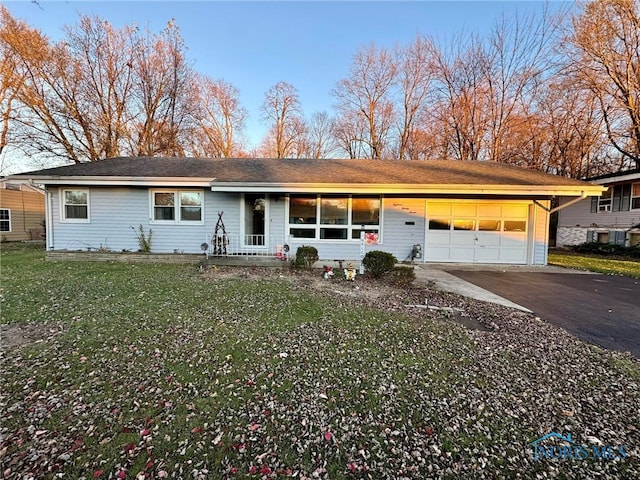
(255, 44)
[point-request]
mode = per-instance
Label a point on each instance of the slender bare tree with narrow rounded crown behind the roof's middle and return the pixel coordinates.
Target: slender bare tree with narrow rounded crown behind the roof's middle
(281, 109)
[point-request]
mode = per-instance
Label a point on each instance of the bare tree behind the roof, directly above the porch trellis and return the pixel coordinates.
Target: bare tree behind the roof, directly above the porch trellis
(219, 119)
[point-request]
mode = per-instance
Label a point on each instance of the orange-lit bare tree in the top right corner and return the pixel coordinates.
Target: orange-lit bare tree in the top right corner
(606, 58)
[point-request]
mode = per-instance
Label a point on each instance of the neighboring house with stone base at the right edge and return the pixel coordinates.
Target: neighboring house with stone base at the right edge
(613, 217)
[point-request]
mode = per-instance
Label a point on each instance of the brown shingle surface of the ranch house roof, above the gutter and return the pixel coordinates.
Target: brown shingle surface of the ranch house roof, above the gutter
(311, 171)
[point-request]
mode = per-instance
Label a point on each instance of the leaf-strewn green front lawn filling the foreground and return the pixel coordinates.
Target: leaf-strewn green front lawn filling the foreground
(160, 371)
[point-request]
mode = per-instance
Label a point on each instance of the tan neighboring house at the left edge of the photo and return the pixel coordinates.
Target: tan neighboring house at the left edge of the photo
(22, 211)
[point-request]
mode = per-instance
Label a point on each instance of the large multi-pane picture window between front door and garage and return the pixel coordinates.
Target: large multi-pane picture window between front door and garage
(333, 217)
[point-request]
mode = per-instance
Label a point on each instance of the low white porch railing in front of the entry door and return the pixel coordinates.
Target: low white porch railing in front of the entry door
(260, 245)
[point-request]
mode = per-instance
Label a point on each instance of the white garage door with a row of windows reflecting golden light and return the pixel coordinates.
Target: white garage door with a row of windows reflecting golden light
(477, 232)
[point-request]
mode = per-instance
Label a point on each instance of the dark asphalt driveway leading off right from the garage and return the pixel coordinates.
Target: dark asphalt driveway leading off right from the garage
(600, 309)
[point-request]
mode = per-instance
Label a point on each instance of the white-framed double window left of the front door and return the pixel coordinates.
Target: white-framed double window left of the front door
(181, 206)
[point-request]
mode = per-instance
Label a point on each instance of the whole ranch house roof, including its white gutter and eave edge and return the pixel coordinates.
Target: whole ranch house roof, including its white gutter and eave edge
(317, 175)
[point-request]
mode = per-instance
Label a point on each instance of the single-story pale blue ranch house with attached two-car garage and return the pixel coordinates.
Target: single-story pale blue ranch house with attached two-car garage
(433, 211)
